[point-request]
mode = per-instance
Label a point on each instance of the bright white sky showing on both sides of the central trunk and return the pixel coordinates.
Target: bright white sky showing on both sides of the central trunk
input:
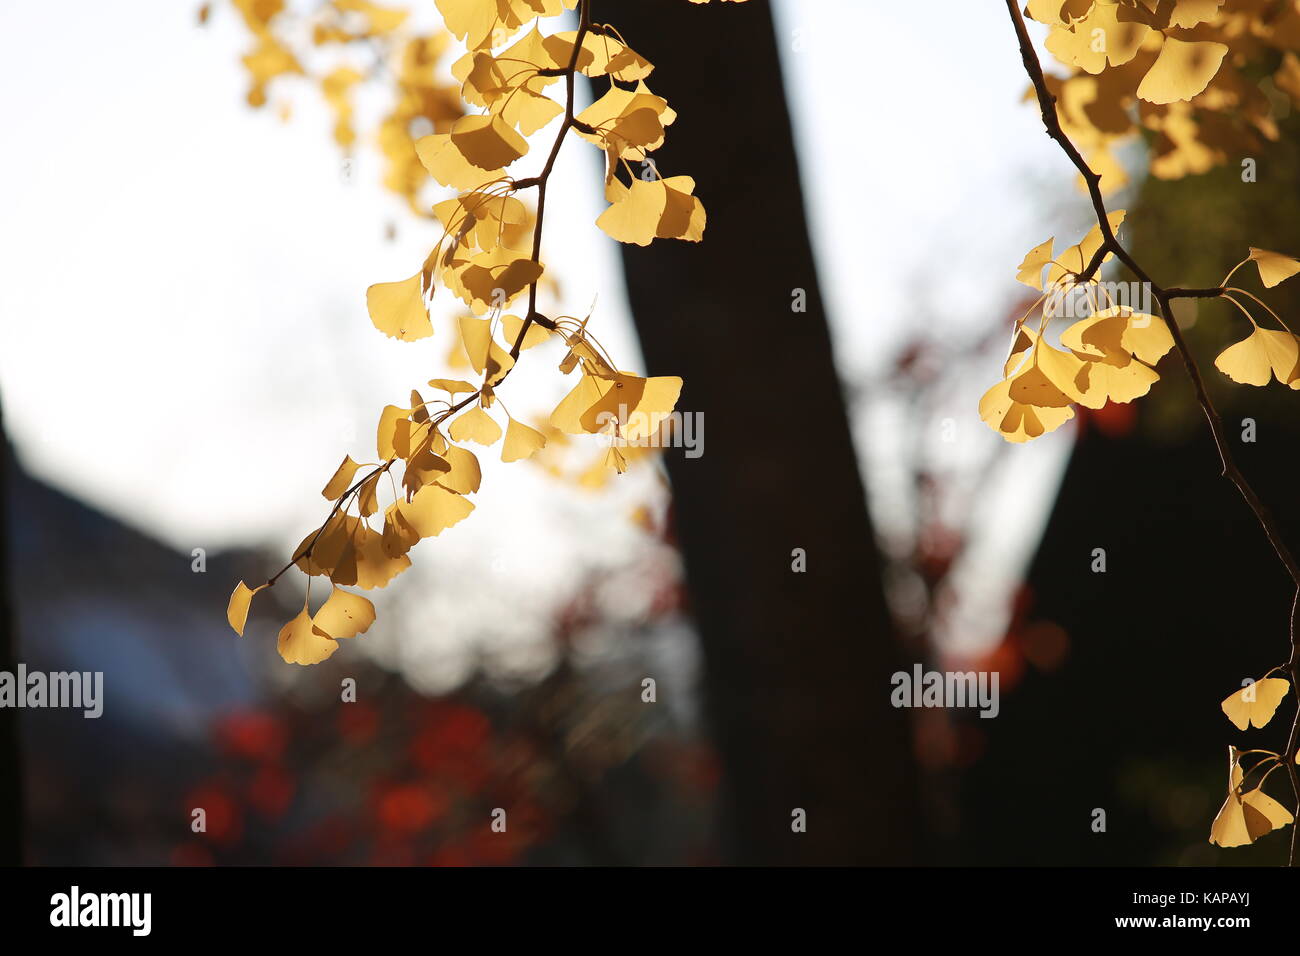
(185, 341)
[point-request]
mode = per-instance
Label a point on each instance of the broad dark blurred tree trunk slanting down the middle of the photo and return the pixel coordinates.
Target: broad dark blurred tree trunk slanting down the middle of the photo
(798, 665)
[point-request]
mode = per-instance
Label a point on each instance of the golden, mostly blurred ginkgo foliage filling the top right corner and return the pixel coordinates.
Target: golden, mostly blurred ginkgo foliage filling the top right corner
(1184, 72)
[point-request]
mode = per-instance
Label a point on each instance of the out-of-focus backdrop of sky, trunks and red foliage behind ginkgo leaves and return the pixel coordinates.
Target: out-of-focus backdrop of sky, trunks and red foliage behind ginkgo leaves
(187, 357)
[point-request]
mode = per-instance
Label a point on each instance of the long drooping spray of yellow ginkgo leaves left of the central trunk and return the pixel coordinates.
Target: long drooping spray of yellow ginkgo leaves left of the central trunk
(515, 79)
